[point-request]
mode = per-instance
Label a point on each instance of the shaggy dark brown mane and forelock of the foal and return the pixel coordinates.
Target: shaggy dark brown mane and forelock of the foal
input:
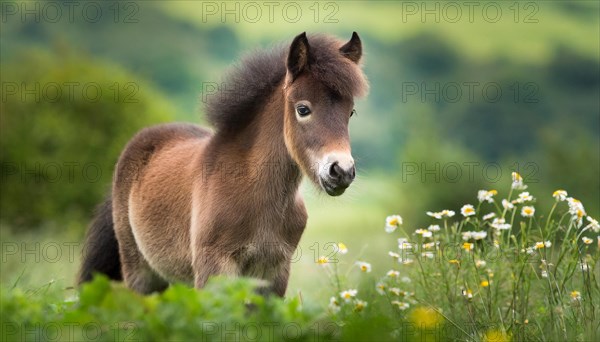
(249, 84)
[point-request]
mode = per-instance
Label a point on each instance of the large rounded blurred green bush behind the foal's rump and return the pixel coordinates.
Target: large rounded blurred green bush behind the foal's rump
(65, 118)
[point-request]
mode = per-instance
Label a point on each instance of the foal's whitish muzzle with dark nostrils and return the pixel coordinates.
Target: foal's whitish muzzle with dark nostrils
(337, 173)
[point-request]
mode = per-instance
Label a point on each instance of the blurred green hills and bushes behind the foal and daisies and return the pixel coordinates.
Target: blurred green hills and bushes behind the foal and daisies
(461, 95)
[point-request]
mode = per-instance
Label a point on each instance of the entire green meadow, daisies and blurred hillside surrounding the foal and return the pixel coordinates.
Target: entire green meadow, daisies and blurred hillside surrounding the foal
(466, 276)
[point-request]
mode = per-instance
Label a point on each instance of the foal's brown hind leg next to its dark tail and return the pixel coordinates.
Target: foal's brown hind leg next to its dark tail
(137, 274)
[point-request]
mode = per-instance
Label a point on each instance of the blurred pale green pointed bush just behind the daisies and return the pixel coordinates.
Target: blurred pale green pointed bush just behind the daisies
(436, 173)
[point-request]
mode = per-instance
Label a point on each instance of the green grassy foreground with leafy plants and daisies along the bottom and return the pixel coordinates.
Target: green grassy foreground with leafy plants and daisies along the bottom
(536, 280)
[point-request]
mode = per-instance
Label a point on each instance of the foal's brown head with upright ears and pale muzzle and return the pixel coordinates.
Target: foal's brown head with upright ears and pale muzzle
(322, 79)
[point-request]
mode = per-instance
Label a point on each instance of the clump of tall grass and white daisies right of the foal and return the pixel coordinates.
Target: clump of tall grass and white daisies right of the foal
(537, 280)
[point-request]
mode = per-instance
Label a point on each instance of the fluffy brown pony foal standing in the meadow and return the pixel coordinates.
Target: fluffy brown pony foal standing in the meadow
(188, 203)
